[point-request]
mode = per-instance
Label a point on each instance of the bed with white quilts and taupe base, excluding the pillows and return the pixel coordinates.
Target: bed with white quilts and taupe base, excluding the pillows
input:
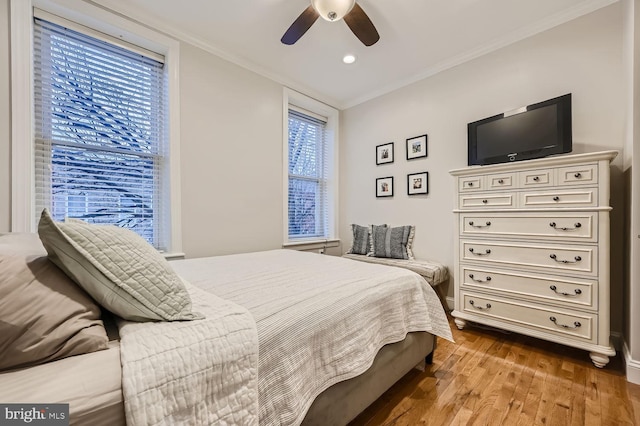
(303, 333)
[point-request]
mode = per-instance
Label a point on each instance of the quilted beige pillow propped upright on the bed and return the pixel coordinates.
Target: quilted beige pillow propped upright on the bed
(116, 266)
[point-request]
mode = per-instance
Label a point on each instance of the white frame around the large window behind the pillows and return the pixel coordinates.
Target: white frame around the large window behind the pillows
(22, 102)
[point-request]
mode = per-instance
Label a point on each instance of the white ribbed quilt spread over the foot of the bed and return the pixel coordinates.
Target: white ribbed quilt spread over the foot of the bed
(320, 319)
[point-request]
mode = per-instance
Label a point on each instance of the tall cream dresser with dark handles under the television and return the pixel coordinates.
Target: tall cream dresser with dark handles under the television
(532, 249)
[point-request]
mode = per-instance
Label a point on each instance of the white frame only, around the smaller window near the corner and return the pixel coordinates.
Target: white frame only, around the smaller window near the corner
(291, 97)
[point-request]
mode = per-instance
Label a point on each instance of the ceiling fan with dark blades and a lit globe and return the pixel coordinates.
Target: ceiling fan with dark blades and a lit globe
(333, 10)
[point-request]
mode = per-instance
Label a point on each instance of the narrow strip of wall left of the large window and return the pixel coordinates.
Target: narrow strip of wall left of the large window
(5, 120)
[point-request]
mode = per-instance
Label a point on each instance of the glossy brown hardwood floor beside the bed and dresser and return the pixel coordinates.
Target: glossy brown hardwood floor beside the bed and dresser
(490, 377)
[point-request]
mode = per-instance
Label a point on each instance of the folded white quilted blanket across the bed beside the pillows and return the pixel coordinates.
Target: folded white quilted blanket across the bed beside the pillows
(201, 372)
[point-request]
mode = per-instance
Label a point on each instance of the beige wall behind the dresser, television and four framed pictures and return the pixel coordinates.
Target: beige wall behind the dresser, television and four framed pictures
(582, 57)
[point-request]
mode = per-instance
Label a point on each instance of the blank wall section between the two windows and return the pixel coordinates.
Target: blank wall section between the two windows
(231, 157)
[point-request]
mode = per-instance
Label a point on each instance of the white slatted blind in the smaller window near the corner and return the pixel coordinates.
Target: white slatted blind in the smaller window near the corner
(308, 175)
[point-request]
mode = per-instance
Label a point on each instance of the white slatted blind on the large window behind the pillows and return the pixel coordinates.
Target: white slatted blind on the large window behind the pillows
(100, 145)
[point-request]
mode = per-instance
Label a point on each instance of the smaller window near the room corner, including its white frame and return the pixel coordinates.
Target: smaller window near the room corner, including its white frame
(310, 187)
